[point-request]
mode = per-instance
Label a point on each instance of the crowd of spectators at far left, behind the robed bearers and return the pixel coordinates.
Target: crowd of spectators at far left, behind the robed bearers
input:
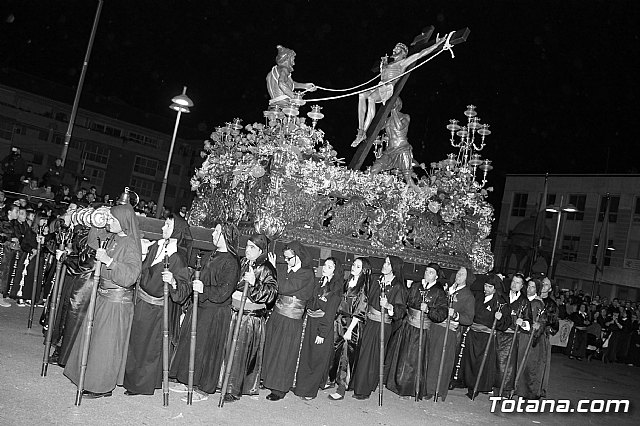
(29, 207)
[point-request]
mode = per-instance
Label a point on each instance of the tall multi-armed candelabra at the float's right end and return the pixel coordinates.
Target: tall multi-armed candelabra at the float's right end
(470, 141)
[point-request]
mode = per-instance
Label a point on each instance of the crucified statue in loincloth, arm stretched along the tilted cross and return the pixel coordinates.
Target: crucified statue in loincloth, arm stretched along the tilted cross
(389, 71)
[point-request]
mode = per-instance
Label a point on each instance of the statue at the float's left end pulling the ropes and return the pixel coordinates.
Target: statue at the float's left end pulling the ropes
(280, 84)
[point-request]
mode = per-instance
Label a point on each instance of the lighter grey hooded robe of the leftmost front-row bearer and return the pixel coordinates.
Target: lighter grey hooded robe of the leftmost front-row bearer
(113, 313)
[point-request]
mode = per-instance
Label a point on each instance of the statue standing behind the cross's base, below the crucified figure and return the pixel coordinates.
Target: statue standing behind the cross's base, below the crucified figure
(399, 153)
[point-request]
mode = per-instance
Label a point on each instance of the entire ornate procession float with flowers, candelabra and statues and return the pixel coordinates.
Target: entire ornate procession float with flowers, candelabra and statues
(283, 178)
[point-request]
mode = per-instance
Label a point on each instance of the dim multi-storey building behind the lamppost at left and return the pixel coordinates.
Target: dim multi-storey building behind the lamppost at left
(108, 151)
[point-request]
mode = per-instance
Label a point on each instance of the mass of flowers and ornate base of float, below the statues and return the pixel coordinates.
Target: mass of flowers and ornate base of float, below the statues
(284, 174)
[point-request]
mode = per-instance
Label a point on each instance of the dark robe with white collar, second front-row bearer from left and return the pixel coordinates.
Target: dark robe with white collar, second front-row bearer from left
(143, 372)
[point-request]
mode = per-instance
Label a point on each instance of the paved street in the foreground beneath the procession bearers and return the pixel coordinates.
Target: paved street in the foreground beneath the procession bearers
(28, 399)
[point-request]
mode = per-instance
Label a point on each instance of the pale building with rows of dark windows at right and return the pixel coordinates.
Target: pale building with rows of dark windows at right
(520, 229)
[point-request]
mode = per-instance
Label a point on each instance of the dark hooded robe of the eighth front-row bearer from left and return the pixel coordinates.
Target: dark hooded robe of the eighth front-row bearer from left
(367, 375)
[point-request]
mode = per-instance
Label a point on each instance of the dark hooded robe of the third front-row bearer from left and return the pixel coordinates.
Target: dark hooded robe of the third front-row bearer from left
(219, 276)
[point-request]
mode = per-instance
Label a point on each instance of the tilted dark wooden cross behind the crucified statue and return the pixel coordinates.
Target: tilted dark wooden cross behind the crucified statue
(419, 43)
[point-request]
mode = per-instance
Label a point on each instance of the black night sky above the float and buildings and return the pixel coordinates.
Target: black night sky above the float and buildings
(554, 79)
